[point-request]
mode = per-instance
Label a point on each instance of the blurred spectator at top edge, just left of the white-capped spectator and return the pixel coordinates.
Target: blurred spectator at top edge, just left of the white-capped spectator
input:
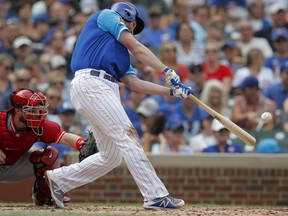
(259, 21)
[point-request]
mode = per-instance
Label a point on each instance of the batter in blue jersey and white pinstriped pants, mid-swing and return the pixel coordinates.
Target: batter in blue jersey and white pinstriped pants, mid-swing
(99, 61)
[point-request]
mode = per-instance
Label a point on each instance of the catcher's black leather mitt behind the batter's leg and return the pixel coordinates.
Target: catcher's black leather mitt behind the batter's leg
(89, 147)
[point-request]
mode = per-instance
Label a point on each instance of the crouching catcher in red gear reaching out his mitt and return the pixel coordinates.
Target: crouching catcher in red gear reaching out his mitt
(23, 124)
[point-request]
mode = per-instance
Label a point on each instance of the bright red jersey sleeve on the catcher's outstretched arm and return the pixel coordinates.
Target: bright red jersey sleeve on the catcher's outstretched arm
(51, 132)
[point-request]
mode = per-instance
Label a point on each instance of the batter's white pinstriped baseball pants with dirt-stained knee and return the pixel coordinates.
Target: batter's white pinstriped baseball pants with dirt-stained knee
(98, 100)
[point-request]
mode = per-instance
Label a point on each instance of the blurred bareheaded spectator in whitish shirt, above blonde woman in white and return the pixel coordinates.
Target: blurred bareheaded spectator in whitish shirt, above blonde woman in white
(248, 41)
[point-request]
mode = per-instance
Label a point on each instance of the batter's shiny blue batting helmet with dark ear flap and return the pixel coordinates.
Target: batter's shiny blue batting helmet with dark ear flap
(129, 13)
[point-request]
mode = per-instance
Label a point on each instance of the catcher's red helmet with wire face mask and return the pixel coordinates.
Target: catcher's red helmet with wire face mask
(34, 107)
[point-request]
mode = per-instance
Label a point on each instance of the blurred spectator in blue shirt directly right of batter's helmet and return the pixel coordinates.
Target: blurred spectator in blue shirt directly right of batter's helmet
(154, 35)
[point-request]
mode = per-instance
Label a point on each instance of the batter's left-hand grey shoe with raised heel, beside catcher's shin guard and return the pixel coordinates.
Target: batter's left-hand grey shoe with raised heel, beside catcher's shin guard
(56, 193)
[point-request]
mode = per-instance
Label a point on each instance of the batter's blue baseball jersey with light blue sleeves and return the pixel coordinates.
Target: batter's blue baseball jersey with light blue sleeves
(98, 47)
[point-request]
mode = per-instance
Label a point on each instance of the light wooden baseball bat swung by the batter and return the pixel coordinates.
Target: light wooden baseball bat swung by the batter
(231, 126)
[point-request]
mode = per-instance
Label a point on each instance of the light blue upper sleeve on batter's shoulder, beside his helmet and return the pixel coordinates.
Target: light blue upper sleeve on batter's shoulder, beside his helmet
(109, 21)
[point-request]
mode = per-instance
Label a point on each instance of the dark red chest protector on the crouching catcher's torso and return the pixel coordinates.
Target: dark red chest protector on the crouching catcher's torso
(14, 144)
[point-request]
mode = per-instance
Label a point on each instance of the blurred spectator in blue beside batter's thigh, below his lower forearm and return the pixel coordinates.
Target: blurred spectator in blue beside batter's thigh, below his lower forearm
(134, 101)
